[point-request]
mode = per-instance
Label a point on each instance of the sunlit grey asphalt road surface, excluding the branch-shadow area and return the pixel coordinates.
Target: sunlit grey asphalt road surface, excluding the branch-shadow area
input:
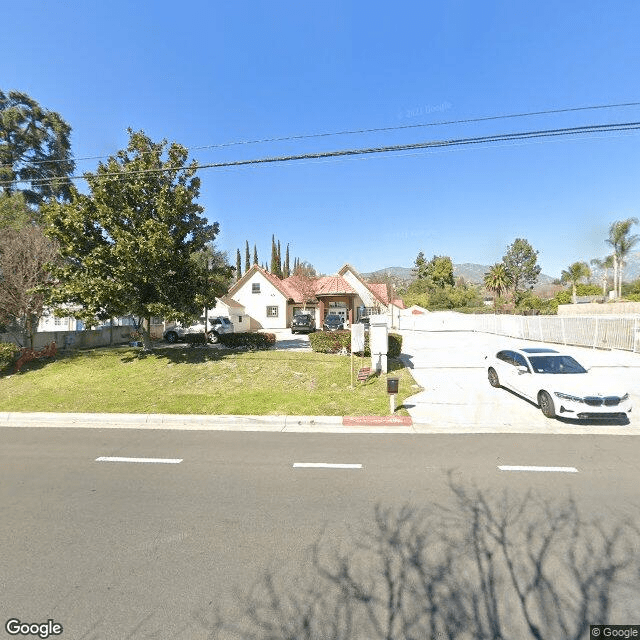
(115, 550)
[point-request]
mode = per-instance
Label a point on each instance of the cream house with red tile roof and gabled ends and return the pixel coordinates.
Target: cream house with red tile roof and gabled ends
(271, 302)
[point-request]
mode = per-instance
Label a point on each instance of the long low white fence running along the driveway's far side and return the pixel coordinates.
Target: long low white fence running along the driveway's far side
(597, 331)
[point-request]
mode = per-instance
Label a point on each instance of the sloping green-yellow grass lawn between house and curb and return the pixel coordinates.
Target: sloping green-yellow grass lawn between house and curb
(200, 381)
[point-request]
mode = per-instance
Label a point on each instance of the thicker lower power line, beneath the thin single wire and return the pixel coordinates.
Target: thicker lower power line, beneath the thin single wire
(502, 137)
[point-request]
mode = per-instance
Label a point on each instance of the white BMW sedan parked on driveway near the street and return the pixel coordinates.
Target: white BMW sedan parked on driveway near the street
(558, 384)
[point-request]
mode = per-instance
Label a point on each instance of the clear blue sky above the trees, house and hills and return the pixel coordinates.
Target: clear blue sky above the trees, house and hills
(204, 73)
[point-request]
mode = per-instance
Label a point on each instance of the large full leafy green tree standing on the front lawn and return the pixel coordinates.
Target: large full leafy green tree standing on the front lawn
(127, 245)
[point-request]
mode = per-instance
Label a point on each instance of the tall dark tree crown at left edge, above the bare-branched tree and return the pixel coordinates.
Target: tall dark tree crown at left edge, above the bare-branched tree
(34, 149)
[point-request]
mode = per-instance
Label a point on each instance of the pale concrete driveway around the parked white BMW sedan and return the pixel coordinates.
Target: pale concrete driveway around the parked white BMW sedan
(451, 368)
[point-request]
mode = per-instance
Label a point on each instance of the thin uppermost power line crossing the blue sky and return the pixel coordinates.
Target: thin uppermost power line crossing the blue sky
(327, 134)
